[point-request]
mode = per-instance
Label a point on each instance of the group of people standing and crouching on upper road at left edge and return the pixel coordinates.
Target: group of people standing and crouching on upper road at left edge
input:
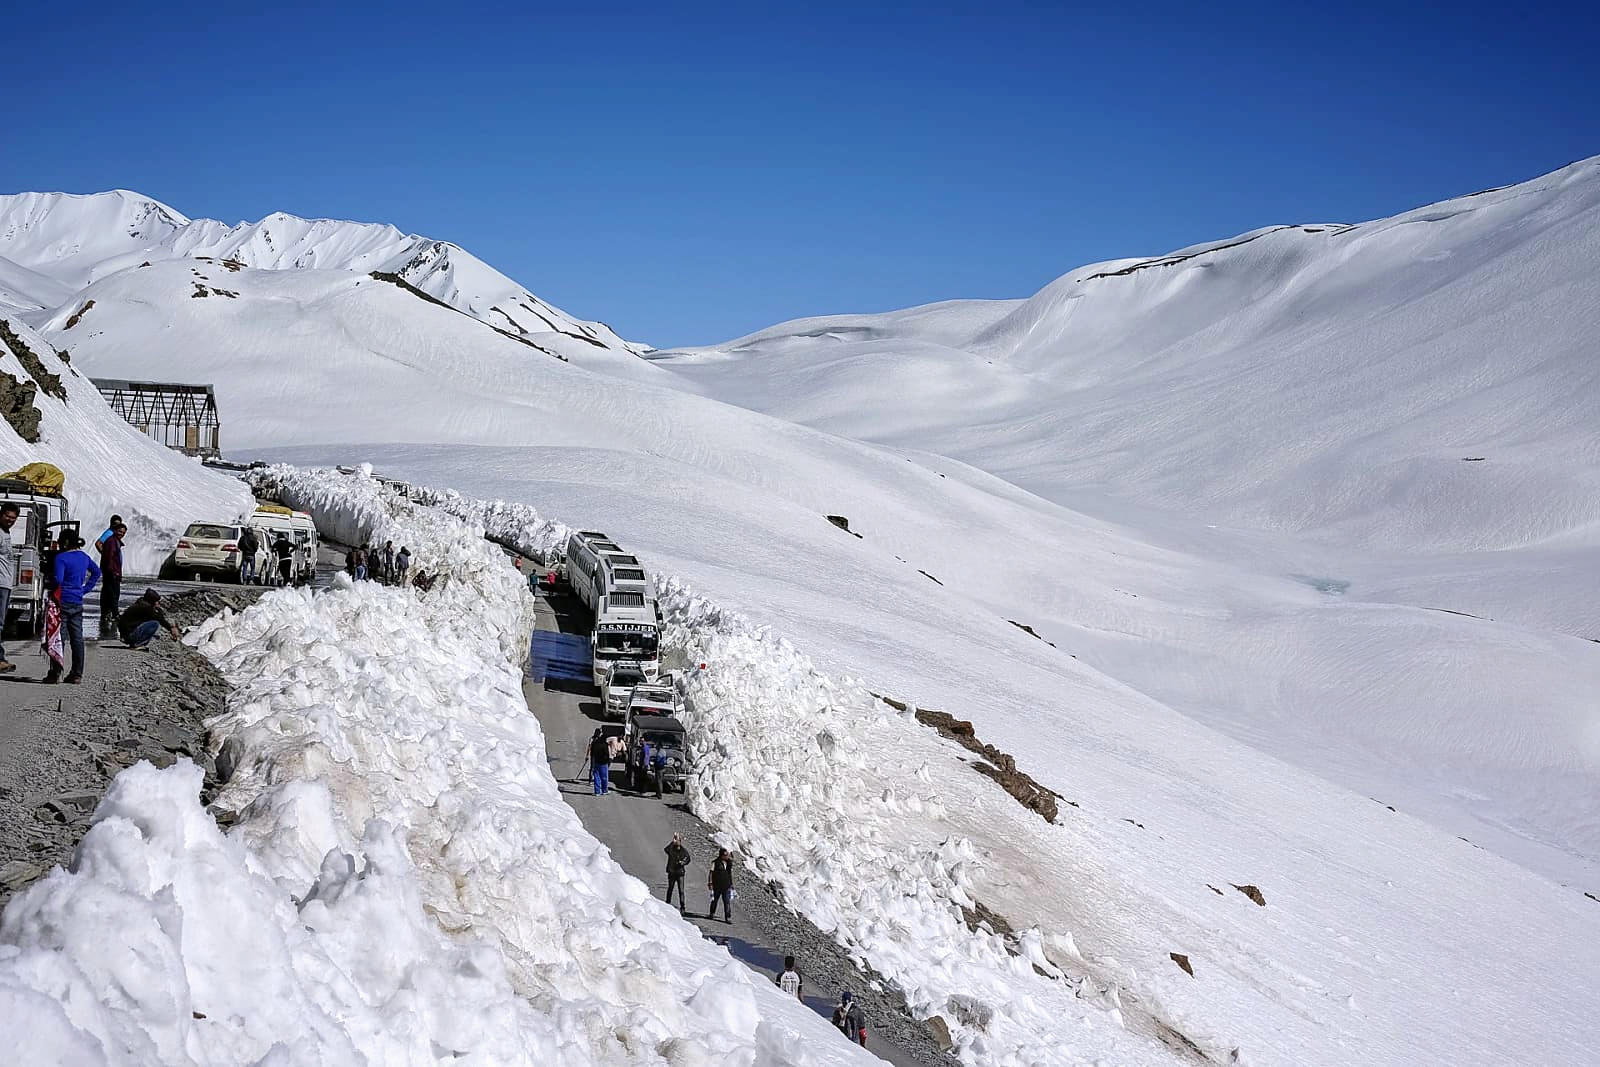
(70, 580)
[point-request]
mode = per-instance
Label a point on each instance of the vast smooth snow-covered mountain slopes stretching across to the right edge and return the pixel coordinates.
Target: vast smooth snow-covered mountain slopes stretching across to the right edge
(1305, 519)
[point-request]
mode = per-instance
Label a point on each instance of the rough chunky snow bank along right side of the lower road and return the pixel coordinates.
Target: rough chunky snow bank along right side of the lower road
(790, 767)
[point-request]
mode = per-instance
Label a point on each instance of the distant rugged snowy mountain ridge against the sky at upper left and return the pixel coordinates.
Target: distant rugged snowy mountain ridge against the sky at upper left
(74, 241)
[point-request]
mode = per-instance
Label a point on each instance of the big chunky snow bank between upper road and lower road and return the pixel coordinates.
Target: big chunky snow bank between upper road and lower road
(404, 884)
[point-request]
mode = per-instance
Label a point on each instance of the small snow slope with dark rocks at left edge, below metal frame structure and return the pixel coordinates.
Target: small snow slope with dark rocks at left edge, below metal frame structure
(110, 466)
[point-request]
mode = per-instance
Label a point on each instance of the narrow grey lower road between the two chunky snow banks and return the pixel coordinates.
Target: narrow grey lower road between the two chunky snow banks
(639, 828)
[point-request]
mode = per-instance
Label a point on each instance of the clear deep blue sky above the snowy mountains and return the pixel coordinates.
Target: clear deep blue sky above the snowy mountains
(695, 175)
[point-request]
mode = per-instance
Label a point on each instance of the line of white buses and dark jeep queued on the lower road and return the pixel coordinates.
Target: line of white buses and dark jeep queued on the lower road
(636, 695)
